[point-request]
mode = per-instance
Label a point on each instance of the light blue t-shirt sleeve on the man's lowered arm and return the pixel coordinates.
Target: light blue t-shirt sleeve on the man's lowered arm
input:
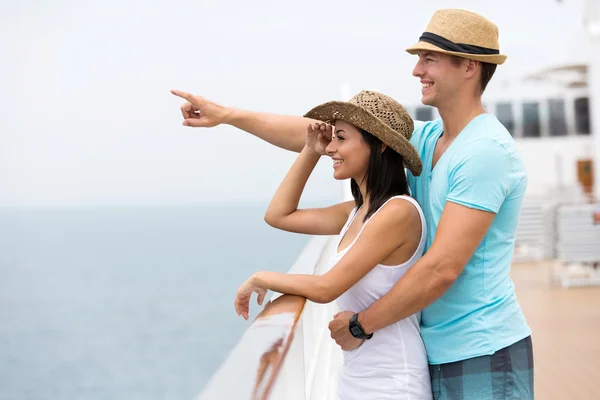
(482, 176)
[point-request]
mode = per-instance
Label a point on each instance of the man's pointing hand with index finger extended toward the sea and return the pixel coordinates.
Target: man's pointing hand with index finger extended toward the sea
(199, 112)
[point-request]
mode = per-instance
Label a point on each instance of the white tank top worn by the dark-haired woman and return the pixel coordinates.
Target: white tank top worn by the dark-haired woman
(393, 363)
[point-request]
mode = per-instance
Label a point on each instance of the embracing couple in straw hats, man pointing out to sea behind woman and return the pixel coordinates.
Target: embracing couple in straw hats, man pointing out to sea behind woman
(421, 269)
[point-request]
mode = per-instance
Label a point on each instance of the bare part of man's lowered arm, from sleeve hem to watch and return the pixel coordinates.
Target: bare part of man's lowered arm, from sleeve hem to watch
(459, 232)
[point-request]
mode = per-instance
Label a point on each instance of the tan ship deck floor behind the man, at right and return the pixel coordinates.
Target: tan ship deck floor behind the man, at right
(566, 333)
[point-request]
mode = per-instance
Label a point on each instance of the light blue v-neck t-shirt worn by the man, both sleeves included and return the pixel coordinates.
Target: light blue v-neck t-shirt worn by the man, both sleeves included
(481, 169)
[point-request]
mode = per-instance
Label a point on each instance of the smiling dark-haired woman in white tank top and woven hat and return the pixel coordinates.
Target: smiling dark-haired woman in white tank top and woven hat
(381, 234)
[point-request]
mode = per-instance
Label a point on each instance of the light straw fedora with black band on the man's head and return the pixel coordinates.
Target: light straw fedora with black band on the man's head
(461, 33)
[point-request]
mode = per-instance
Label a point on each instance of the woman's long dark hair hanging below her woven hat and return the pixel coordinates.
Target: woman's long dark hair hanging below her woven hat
(384, 178)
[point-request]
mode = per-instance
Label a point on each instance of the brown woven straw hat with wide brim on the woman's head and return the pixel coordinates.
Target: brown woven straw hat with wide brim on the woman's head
(378, 114)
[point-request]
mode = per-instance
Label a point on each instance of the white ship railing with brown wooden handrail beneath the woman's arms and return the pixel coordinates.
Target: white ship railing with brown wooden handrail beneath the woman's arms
(286, 353)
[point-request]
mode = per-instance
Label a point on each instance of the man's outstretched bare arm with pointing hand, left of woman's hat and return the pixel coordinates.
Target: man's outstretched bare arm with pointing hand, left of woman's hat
(285, 131)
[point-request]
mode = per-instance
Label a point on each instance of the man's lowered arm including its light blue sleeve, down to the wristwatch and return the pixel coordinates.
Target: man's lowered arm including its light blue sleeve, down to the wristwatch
(480, 181)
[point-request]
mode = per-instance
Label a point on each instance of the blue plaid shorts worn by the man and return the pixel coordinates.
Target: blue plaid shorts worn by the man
(506, 374)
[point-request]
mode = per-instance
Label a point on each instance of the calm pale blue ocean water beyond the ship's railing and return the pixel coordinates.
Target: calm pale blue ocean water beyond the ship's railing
(126, 303)
